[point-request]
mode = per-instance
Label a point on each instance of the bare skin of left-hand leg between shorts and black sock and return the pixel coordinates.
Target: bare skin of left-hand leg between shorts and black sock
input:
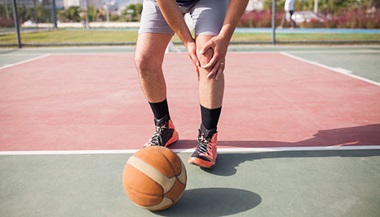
(149, 55)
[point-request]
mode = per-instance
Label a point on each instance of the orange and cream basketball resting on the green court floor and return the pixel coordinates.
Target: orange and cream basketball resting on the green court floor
(154, 178)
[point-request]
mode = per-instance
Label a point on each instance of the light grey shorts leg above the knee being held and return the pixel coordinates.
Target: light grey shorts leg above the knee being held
(208, 16)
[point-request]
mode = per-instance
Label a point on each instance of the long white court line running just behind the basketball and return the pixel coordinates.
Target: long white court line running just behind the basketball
(220, 150)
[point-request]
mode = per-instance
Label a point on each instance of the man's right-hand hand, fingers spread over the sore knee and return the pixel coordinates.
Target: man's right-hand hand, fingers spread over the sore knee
(217, 63)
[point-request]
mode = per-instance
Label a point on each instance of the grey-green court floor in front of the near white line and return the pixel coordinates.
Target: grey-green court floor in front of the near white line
(301, 183)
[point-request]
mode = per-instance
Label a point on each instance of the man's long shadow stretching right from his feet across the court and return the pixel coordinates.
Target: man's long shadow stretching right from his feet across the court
(368, 135)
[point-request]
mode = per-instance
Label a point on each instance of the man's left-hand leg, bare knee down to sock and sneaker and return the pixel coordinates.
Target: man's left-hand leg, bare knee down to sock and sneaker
(149, 55)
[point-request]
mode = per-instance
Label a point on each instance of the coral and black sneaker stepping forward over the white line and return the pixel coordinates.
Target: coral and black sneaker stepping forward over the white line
(205, 153)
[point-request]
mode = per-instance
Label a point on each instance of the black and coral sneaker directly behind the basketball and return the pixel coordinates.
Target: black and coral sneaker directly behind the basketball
(165, 134)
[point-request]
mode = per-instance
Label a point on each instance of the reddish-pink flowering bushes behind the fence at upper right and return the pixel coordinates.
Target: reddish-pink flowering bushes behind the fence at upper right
(363, 14)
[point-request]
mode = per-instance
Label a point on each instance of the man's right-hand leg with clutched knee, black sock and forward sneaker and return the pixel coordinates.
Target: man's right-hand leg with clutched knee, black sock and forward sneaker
(211, 97)
